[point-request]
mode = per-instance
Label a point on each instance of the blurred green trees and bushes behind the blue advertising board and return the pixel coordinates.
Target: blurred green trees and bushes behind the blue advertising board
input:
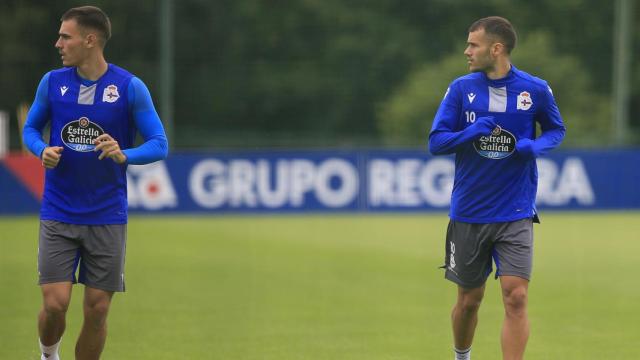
(318, 73)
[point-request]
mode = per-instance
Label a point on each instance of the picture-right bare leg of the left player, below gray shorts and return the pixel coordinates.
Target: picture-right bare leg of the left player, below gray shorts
(94, 328)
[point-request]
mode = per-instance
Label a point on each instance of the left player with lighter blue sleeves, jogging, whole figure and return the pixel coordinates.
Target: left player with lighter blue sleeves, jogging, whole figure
(94, 110)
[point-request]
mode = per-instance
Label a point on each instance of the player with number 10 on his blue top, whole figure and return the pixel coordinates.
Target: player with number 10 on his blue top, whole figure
(488, 120)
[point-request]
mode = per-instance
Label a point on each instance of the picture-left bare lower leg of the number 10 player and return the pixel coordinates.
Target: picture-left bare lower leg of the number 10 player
(464, 316)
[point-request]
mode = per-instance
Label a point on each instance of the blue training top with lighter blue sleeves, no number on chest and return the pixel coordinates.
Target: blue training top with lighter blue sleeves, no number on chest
(82, 189)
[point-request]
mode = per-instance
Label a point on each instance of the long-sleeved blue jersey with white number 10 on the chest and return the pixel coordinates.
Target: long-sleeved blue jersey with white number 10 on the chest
(490, 126)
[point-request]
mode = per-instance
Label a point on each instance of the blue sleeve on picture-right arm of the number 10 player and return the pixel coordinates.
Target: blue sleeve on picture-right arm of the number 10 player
(552, 127)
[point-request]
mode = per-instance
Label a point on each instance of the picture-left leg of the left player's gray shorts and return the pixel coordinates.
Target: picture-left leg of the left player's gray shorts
(58, 252)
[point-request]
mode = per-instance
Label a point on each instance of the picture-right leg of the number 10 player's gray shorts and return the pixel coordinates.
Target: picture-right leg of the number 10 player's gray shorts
(513, 250)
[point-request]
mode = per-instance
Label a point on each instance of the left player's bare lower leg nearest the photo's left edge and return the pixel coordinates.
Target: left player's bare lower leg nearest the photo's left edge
(51, 320)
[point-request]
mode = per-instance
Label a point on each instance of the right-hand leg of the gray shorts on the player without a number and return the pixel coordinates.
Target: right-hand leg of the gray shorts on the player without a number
(103, 257)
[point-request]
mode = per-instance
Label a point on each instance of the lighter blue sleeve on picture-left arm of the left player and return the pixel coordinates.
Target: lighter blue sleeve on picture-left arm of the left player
(37, 119)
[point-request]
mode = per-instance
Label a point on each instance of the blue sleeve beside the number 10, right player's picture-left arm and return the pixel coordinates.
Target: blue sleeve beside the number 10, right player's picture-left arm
(447, 134)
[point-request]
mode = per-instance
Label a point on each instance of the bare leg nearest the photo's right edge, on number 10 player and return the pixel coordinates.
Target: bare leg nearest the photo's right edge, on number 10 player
(515, 330)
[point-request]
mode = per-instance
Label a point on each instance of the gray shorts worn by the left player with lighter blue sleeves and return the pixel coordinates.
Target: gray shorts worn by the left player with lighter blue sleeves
(98, 251)
